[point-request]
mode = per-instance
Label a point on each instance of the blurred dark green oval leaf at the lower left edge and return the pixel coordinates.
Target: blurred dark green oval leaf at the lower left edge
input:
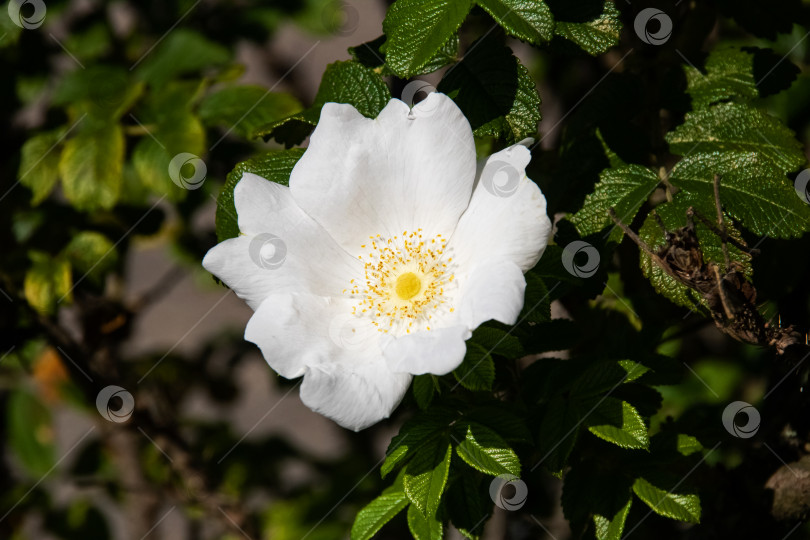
(30, 433)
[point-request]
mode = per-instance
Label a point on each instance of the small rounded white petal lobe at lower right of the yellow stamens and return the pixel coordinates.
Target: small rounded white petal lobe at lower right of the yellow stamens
(493, 291)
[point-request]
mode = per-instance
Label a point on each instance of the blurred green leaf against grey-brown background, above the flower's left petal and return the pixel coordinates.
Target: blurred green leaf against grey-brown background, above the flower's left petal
(243, 109)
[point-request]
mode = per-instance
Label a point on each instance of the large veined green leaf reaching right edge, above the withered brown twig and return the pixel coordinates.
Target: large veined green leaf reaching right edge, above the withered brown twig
(753, 190)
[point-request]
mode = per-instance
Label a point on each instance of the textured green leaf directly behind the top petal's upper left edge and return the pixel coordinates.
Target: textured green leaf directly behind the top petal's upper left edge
(342, 82)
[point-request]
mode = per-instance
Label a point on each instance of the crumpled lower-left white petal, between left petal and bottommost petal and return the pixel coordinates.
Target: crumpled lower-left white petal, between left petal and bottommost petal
(298, 331)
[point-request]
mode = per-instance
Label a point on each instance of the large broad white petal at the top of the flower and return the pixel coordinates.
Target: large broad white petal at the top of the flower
(405, 170)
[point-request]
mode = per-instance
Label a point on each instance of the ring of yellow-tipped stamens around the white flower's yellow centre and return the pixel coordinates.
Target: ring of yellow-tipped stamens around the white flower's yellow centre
(405, 282)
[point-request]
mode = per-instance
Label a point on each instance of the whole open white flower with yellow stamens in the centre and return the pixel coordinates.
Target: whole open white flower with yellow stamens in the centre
(389, 247)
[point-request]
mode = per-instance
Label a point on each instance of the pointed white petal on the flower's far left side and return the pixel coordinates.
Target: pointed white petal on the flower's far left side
(282, 250)
